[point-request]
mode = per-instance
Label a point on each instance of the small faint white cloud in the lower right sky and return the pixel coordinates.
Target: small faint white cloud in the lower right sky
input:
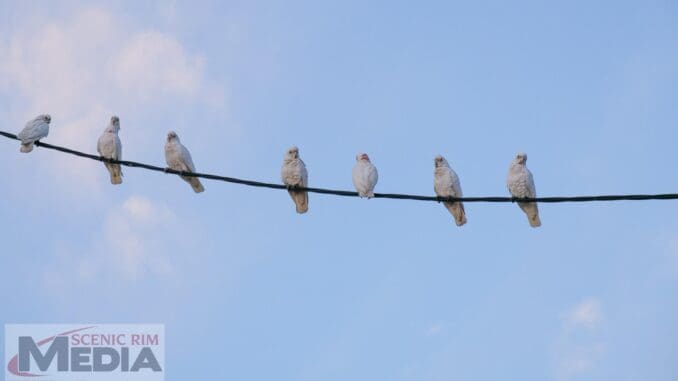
(578, 347)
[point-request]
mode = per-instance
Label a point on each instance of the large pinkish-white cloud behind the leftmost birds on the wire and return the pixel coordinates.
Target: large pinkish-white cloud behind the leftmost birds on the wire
(88, 66)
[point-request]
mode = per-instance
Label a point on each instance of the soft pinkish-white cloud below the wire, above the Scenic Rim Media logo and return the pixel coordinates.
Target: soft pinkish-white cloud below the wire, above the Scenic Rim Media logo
(137, 239)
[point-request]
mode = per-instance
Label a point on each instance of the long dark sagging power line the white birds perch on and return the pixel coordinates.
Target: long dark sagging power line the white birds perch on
(397, 196)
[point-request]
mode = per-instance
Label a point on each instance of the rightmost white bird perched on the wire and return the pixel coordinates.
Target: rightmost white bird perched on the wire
(521, 185)
